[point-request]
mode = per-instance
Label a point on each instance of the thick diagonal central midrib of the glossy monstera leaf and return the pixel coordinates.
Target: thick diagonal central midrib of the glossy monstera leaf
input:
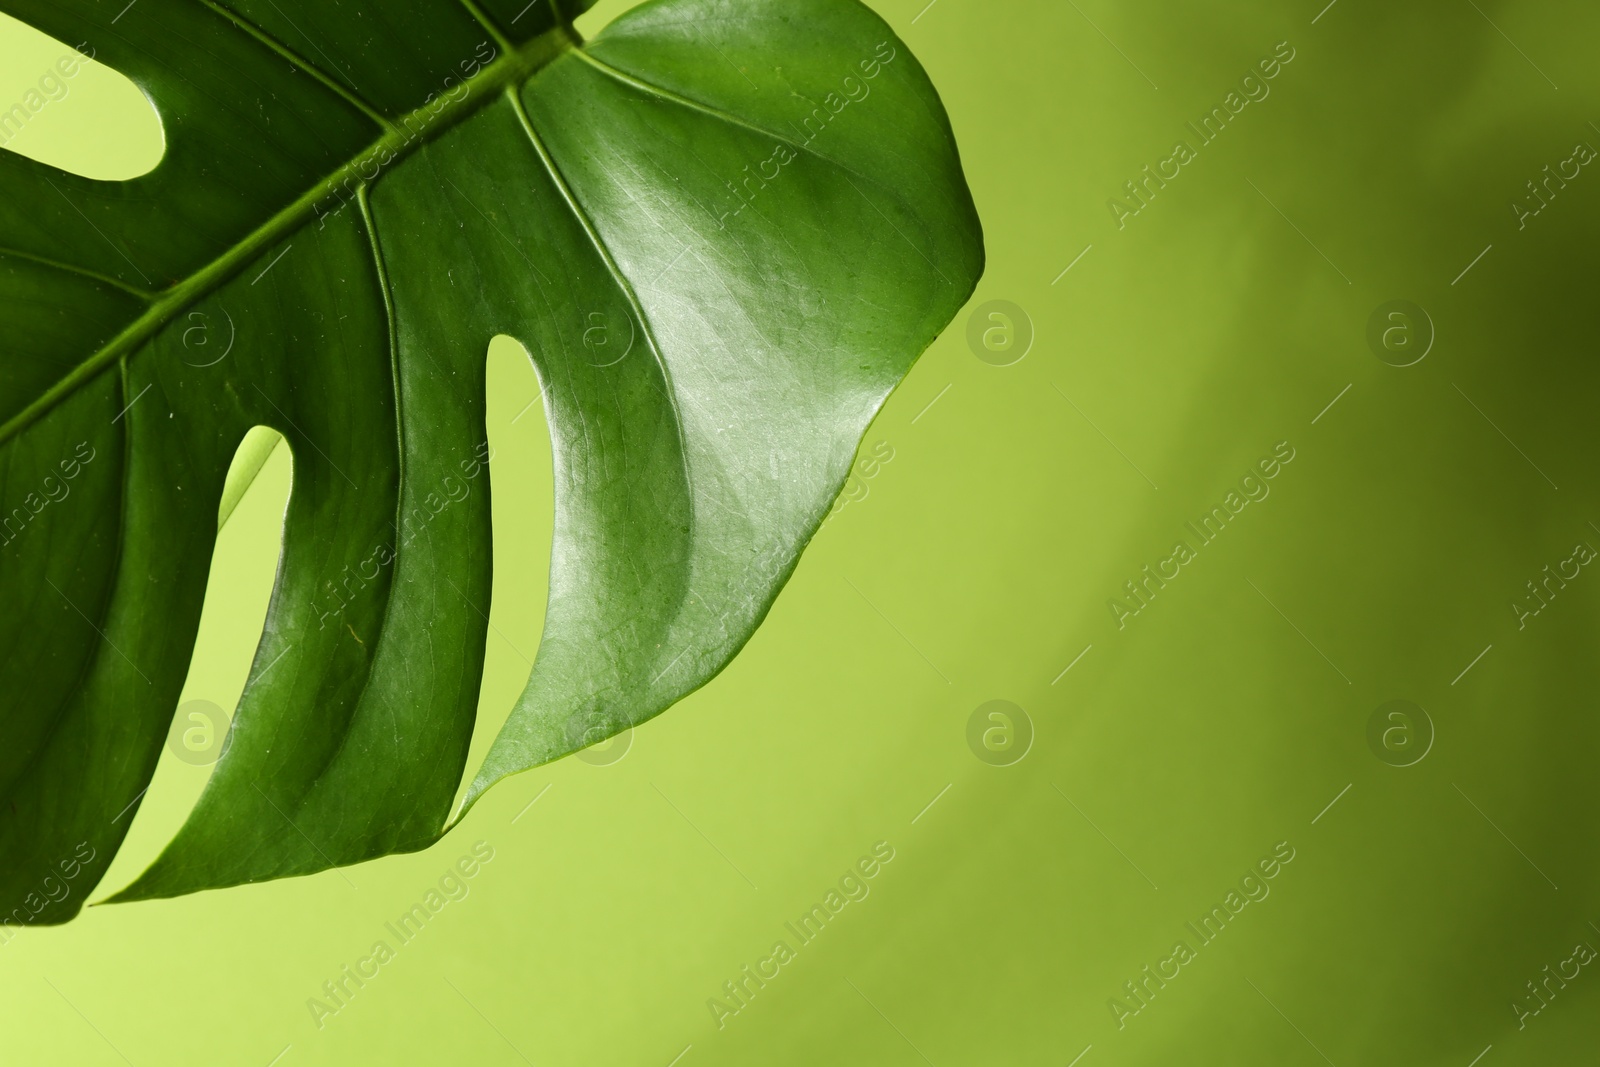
(514, 68)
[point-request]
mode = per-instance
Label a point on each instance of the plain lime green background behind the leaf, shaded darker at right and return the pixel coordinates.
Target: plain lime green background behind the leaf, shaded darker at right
(977, 565)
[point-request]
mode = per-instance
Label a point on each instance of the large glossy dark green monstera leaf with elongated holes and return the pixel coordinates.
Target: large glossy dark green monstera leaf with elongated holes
(724, 230)
